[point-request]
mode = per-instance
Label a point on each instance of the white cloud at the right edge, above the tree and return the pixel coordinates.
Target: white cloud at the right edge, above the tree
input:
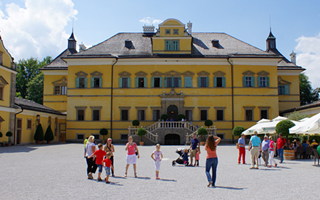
(308, 57)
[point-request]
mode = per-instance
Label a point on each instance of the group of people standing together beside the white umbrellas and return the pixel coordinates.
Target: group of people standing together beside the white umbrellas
(262, 149)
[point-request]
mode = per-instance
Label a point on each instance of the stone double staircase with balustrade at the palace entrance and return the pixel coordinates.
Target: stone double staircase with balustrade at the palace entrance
(156, 132)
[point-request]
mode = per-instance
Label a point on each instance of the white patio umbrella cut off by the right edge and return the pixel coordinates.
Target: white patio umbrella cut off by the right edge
(309, 126)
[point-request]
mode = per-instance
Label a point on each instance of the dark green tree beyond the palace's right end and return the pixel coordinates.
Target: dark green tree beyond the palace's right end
(307, 94)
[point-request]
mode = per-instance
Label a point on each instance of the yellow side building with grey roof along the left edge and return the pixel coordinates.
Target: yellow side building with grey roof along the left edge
(21, 116)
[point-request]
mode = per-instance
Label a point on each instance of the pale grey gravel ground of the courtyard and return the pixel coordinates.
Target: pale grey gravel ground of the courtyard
(59, 172)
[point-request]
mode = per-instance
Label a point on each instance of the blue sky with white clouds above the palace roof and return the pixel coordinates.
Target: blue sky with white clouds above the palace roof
(37, 28)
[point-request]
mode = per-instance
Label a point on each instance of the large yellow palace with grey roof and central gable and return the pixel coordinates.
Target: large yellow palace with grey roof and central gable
(173, 71)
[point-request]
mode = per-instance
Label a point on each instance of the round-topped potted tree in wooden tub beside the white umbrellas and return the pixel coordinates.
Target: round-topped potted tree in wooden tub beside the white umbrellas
(283, 127)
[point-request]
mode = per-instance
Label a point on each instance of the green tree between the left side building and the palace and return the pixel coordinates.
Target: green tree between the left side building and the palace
(27, 71)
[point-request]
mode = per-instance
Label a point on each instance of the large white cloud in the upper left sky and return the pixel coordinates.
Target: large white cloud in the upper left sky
(37, 29)
